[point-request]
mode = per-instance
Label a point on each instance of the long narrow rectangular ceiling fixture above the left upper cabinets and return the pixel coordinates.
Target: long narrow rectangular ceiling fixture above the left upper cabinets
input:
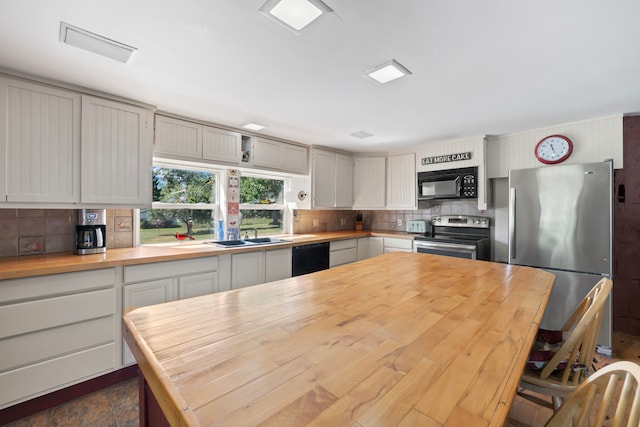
(95, 43)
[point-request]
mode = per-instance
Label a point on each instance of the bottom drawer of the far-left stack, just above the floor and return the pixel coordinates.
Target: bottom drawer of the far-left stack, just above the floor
(41, 378)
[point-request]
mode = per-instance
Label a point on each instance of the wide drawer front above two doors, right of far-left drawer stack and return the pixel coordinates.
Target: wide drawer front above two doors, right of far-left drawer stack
(159, 270)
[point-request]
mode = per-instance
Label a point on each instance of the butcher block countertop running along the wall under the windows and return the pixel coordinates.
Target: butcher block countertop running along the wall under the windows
(39, 265)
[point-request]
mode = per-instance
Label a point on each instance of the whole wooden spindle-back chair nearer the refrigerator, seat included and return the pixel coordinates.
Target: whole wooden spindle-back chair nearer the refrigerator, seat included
(573, 361)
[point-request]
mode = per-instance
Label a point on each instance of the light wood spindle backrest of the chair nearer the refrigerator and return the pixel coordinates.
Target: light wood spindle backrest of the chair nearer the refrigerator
(583, 328)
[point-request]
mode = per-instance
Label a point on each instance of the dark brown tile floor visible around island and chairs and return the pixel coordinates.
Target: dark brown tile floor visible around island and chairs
(117, 405)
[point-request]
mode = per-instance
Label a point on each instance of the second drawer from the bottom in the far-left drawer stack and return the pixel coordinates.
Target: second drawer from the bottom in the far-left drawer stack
(30, 348)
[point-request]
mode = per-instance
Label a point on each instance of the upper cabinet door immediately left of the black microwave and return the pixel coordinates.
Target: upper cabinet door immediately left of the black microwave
(401, 182)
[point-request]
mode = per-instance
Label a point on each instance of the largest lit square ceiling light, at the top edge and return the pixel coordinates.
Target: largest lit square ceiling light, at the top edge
(295, 14)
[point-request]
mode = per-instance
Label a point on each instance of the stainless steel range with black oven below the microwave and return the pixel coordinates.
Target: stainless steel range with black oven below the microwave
(456, 235)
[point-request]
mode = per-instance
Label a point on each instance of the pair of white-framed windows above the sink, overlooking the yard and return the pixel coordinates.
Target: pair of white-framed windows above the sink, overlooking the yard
(189, 199)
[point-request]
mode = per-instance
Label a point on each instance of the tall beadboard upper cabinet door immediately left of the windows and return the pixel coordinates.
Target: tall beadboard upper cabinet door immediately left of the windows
(116, 153)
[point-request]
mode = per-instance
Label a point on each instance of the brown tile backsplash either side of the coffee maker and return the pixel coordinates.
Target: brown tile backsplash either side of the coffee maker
(46, 231)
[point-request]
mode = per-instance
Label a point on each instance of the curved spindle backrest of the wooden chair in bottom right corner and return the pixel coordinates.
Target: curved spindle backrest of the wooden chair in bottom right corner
(612, 393)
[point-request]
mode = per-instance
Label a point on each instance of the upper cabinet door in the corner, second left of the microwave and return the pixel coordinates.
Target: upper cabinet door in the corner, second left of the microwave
(369, 183)
